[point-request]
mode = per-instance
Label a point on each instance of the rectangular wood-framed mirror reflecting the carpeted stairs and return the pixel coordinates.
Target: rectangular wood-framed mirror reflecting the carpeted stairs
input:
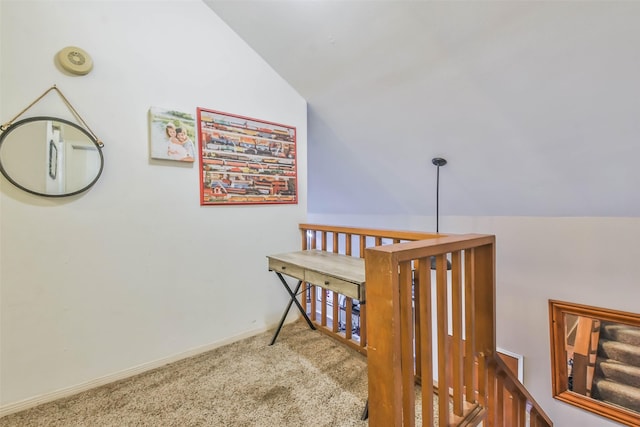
(595, 360)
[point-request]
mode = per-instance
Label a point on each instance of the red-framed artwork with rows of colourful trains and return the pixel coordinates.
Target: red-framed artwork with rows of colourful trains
(245, 160)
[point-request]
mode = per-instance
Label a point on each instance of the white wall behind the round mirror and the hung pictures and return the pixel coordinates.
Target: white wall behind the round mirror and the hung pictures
(134, 271)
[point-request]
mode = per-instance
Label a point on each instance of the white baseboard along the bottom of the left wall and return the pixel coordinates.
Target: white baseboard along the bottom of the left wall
(117, 376)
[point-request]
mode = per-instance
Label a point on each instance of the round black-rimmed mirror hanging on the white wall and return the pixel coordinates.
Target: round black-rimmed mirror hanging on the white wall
(50, 157)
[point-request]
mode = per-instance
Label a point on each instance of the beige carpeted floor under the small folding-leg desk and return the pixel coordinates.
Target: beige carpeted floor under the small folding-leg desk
(305, 379)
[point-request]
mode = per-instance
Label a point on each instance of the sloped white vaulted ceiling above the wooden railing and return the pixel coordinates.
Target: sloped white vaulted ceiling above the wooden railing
(535, 105)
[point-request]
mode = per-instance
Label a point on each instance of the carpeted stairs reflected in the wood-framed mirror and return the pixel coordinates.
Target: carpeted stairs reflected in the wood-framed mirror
(617, 374)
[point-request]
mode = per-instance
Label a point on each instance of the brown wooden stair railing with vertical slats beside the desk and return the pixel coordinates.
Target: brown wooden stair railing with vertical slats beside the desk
(410, 323)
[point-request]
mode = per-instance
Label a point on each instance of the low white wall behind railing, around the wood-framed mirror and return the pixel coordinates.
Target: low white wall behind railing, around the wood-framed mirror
(589, 261)
